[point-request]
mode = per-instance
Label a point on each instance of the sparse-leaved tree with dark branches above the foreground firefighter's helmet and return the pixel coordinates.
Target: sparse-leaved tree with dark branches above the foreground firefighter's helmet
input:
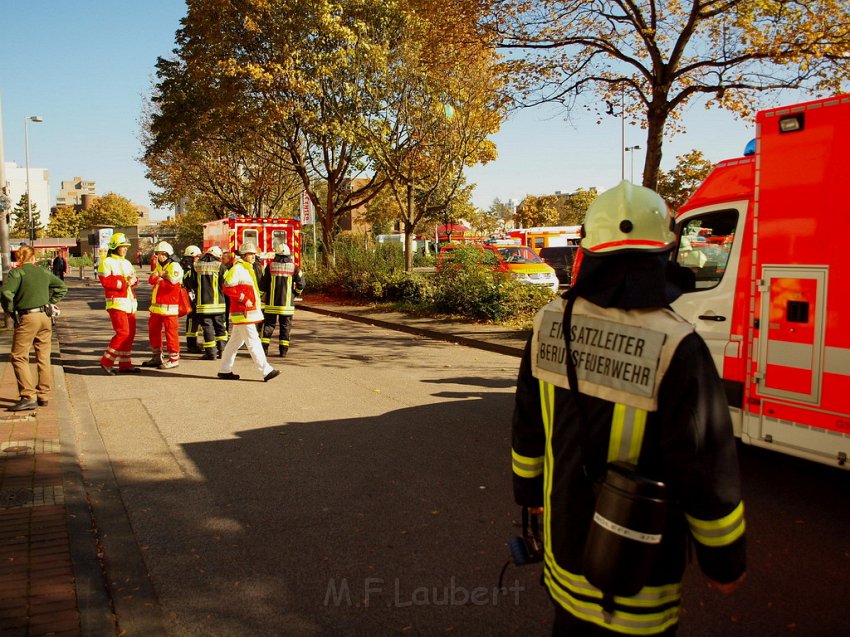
(652, 58)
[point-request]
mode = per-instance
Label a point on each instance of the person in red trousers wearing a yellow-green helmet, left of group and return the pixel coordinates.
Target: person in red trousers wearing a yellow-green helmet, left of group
(118, 278)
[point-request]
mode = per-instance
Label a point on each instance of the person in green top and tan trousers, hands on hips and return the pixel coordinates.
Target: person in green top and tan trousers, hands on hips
(30, 294)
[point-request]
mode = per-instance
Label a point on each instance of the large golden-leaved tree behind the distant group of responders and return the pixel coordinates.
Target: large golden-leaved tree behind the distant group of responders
(313, 87)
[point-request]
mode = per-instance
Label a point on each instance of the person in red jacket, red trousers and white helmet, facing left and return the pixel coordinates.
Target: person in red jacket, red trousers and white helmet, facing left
(167, 279)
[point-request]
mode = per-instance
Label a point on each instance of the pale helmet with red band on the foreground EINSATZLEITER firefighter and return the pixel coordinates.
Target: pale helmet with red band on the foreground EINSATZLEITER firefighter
(627, 218)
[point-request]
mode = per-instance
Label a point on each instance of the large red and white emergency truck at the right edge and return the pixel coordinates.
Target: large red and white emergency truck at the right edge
(771, 297)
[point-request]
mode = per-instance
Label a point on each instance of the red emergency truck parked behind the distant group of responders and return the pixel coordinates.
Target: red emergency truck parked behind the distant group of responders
(265, 232)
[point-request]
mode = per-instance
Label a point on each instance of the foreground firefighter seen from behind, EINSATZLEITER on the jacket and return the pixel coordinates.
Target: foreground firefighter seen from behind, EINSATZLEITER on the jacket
(640, 402)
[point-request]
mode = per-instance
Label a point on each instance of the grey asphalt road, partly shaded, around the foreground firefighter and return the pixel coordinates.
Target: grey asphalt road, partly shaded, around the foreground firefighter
(366, 491)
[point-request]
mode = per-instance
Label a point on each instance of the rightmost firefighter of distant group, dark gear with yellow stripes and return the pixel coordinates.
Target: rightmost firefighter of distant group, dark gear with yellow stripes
(282, 281)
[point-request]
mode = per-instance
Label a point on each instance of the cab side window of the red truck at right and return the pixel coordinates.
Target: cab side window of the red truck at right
(705, 243)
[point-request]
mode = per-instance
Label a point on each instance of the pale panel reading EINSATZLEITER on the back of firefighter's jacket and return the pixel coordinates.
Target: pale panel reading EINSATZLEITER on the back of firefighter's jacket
(621, 357)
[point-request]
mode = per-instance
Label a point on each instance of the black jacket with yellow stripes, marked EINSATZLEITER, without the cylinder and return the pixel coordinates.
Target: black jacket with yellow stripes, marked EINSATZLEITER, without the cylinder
(650, 397)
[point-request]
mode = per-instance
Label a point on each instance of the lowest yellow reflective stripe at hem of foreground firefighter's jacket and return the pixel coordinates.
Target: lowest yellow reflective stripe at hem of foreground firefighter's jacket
(618, 621)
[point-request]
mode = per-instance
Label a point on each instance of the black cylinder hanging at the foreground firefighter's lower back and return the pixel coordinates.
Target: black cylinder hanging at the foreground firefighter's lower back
(625, 532)
